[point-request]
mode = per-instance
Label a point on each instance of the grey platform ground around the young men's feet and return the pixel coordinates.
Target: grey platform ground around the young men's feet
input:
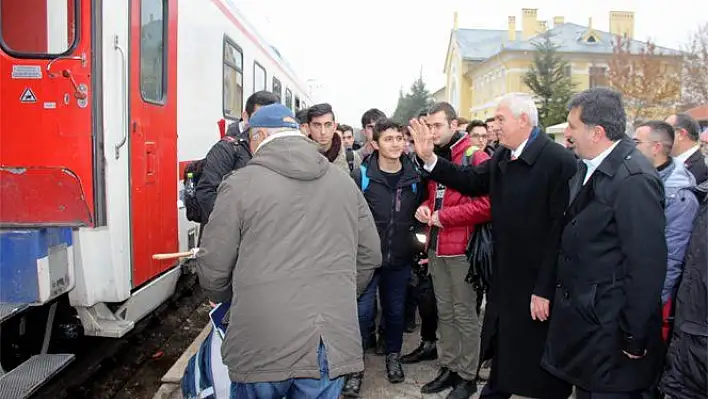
(376, 386)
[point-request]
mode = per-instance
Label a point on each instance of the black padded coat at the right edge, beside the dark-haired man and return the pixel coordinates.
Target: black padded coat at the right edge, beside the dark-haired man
(686, 374)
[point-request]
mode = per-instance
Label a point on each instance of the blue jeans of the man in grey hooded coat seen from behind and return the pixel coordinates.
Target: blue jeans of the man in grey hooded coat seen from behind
(294, 388)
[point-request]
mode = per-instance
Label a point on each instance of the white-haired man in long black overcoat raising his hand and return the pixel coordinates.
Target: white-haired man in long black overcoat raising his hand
(527, 181)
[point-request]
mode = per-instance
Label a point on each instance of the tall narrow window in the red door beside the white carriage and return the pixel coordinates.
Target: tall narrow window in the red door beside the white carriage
(153, 31)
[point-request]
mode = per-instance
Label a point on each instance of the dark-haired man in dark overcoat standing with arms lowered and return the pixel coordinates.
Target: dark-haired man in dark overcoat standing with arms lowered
(605, 333)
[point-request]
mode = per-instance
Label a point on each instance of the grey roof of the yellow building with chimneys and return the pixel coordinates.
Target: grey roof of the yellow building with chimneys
(480, 44)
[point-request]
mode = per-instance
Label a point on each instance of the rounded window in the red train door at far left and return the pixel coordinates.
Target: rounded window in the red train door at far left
(26, 31)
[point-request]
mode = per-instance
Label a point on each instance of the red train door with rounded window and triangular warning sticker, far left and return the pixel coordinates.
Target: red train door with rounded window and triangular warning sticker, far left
(47, 149)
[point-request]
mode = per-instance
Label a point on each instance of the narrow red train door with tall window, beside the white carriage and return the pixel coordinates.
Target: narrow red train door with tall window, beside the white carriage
(153, 135)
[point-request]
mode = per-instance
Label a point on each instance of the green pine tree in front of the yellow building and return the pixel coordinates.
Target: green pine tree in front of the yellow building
(548, 80)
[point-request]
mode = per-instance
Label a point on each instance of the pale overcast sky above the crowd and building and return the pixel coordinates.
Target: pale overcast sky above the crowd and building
(363, 51)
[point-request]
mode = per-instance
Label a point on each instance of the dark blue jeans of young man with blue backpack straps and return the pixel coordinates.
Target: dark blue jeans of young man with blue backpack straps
(392, 282)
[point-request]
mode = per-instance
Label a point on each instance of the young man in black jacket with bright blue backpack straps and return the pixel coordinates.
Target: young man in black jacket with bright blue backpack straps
(392, 188)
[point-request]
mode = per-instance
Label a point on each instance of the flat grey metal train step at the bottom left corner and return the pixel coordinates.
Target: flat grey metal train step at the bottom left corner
(25, 379)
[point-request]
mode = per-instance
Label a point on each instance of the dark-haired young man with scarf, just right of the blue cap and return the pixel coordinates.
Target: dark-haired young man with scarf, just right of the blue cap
(321, 126)
